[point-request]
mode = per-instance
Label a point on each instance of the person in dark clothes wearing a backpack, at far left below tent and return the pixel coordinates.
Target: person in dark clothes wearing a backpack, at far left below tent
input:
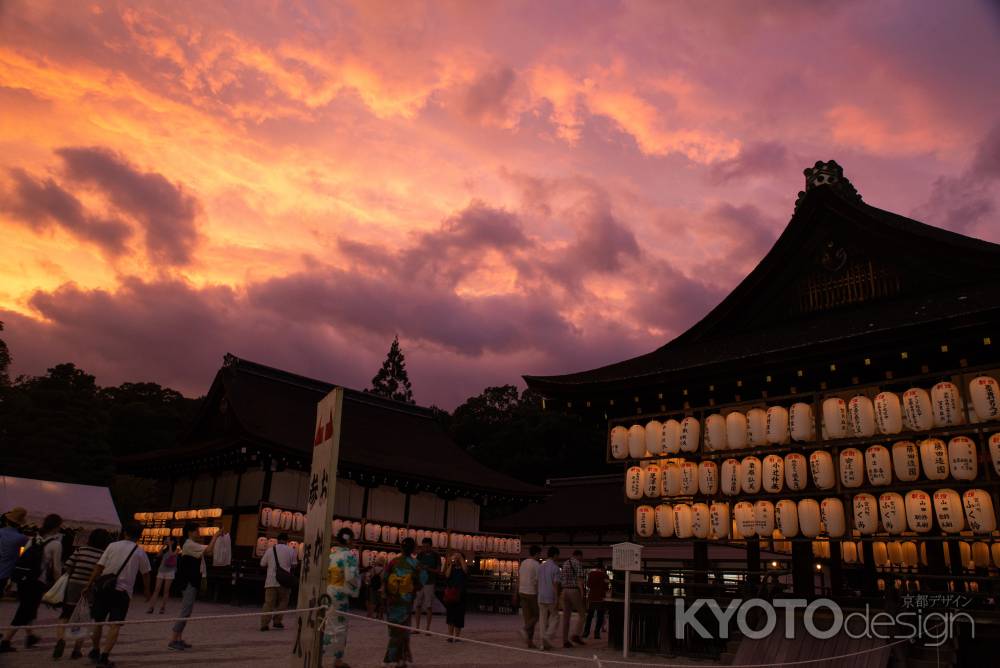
(36, 569)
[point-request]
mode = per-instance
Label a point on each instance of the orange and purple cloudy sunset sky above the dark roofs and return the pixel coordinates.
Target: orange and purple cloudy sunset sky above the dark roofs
(534, 187)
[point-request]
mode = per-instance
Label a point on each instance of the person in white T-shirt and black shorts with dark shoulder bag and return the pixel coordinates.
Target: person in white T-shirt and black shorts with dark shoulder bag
(112, 583)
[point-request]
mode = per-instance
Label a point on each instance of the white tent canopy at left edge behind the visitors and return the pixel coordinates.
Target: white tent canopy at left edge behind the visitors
(81, 506)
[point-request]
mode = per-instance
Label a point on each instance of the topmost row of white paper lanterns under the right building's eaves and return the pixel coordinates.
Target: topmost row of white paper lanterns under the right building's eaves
(860, 417)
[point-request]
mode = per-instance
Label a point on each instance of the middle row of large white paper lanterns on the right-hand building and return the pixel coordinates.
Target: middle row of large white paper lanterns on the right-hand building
(774, 473)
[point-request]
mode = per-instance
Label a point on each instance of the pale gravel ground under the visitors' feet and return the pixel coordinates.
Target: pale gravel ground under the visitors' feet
(237, 642)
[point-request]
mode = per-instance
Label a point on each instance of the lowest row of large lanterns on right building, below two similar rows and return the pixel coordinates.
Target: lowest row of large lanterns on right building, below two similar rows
(811, 518)
